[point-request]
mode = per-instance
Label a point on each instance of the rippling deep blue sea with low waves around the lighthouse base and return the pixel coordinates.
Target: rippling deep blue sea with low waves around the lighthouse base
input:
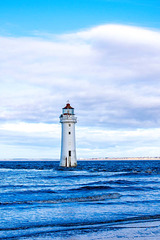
(96, 200)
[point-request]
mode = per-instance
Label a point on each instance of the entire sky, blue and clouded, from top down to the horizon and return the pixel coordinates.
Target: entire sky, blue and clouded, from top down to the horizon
(101, 55)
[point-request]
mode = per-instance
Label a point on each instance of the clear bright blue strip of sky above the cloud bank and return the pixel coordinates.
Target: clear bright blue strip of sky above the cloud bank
(26, 17)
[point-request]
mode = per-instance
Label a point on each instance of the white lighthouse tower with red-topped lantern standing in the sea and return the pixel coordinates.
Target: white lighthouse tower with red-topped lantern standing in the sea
(68, 141)
